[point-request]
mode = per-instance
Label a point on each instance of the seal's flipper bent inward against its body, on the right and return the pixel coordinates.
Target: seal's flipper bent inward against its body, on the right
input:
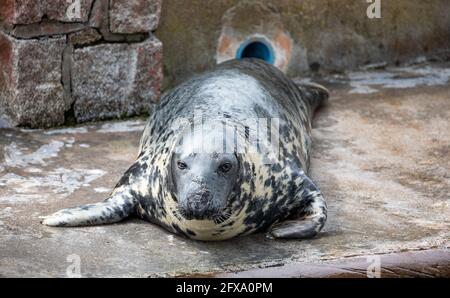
(309, 220)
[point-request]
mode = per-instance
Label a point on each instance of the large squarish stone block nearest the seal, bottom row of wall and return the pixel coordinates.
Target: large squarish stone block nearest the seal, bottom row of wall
(115, 80)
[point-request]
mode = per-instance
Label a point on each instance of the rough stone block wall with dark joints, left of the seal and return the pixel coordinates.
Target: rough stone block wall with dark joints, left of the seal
(77, 60)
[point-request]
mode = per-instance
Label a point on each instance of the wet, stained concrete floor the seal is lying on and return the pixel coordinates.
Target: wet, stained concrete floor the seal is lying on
(381, 156)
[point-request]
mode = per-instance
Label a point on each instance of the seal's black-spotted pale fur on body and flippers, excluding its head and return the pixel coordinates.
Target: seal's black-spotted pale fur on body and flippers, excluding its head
(277, 197)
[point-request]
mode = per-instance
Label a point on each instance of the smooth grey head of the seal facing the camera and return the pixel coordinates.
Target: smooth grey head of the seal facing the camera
(203, 180)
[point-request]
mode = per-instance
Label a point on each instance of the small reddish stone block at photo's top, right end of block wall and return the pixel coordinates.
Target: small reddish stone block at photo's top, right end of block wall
(134, 16)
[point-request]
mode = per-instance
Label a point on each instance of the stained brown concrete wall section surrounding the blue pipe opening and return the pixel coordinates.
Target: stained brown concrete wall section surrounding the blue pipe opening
(308, 35)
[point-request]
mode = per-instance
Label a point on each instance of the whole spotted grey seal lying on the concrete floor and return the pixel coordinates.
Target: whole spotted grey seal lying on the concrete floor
(224, 154)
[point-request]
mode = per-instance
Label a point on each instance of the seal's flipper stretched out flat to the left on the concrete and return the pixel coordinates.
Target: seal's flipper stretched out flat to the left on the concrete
(120, 205)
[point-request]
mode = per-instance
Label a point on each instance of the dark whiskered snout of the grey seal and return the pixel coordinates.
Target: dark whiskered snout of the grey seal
(199, 205)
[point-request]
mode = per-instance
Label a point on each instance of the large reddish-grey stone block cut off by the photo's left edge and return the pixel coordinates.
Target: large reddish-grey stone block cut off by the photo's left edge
(30, 81)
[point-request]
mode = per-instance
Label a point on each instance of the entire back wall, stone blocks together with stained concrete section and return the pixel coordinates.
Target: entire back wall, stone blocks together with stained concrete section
(59, 68)
